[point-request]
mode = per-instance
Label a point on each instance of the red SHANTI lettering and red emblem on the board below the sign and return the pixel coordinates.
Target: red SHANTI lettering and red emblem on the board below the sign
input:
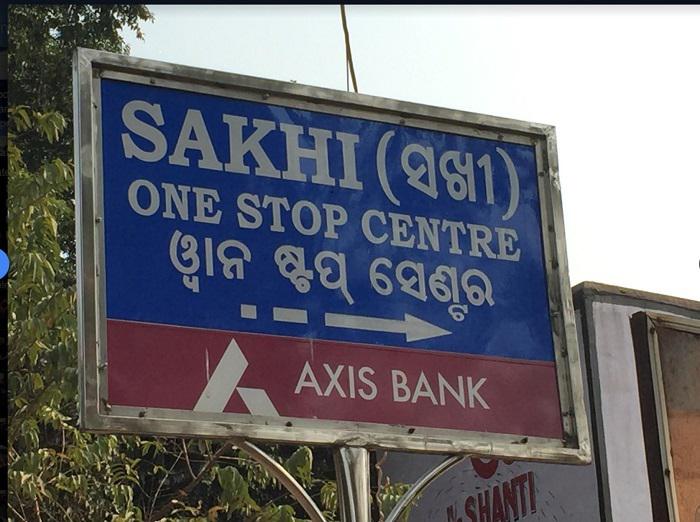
(500, 501)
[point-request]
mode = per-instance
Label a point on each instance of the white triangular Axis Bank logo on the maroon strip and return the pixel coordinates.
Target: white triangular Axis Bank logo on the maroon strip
(223, 382)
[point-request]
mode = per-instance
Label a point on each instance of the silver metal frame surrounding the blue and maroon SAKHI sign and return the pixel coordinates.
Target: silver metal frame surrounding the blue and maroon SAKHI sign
(98, 415)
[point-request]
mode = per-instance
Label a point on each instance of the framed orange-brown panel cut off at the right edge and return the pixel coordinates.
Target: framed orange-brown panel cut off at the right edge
(667, 350)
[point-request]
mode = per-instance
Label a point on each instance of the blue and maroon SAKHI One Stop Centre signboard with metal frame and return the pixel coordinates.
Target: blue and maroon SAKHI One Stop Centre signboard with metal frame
(289, 263)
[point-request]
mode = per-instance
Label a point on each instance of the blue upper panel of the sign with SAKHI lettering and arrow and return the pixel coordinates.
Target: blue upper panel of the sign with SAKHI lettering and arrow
(228, 214)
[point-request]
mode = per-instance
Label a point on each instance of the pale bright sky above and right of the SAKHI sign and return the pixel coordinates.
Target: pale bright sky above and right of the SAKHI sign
(620, 84)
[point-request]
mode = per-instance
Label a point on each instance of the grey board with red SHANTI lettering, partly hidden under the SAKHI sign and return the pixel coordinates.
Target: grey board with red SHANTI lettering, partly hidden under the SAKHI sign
(490, 490)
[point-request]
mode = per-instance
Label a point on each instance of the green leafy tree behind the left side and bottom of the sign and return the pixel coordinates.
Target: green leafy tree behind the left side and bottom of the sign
(57, 472)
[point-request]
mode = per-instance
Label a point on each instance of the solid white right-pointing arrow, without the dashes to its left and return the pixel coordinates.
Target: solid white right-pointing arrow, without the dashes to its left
(414, 328)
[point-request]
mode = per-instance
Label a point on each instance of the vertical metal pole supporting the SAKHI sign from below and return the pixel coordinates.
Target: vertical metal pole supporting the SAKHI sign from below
(352, 475)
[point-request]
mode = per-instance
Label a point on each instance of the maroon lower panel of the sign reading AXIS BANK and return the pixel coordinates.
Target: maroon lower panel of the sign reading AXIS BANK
(237, 372)
